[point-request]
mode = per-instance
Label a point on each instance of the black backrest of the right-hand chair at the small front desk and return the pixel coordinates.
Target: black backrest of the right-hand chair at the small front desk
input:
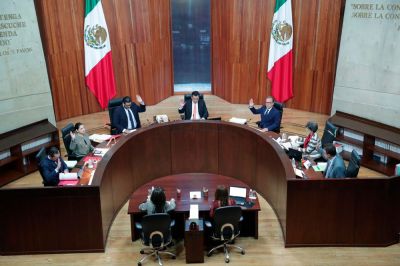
(226, 222)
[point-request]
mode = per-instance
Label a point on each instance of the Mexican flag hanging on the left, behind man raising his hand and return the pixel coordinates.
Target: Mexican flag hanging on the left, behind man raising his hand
(99, 73)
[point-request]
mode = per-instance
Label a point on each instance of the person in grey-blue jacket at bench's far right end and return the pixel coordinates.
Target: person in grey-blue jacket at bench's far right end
(335, 167)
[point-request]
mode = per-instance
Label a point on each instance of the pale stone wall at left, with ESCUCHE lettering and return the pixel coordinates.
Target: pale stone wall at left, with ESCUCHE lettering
(25, 95)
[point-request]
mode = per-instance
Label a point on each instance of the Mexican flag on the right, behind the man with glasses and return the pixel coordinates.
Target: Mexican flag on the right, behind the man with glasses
(280, 67)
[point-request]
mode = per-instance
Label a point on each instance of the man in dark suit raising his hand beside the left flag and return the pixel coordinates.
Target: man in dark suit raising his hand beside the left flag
(126, 117)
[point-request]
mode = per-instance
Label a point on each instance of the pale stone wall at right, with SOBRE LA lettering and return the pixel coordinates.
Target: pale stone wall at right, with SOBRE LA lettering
(368, 73)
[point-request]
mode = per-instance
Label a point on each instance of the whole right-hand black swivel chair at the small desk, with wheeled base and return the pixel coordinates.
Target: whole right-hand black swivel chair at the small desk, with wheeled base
(226, 228)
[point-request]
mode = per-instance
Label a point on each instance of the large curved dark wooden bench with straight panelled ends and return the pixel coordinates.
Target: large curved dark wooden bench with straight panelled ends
(334, 212)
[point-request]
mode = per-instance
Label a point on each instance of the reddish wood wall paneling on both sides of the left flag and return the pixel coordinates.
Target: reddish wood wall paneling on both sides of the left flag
(140, 38)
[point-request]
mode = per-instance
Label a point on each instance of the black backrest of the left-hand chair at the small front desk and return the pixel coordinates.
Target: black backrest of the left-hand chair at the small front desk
(156, 229)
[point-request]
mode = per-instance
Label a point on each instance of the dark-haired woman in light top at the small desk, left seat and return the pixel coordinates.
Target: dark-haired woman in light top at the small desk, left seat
(157, 203)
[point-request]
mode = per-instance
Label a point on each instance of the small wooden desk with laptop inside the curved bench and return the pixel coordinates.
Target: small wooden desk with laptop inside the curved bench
(187, 183)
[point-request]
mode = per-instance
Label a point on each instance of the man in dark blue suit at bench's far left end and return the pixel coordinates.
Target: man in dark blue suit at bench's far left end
(51, 166)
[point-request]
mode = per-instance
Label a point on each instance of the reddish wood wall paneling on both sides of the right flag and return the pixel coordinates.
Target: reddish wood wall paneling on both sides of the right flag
(316, 32)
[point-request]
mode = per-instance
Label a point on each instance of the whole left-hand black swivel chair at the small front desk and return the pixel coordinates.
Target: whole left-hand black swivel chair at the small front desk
(156, 235)
